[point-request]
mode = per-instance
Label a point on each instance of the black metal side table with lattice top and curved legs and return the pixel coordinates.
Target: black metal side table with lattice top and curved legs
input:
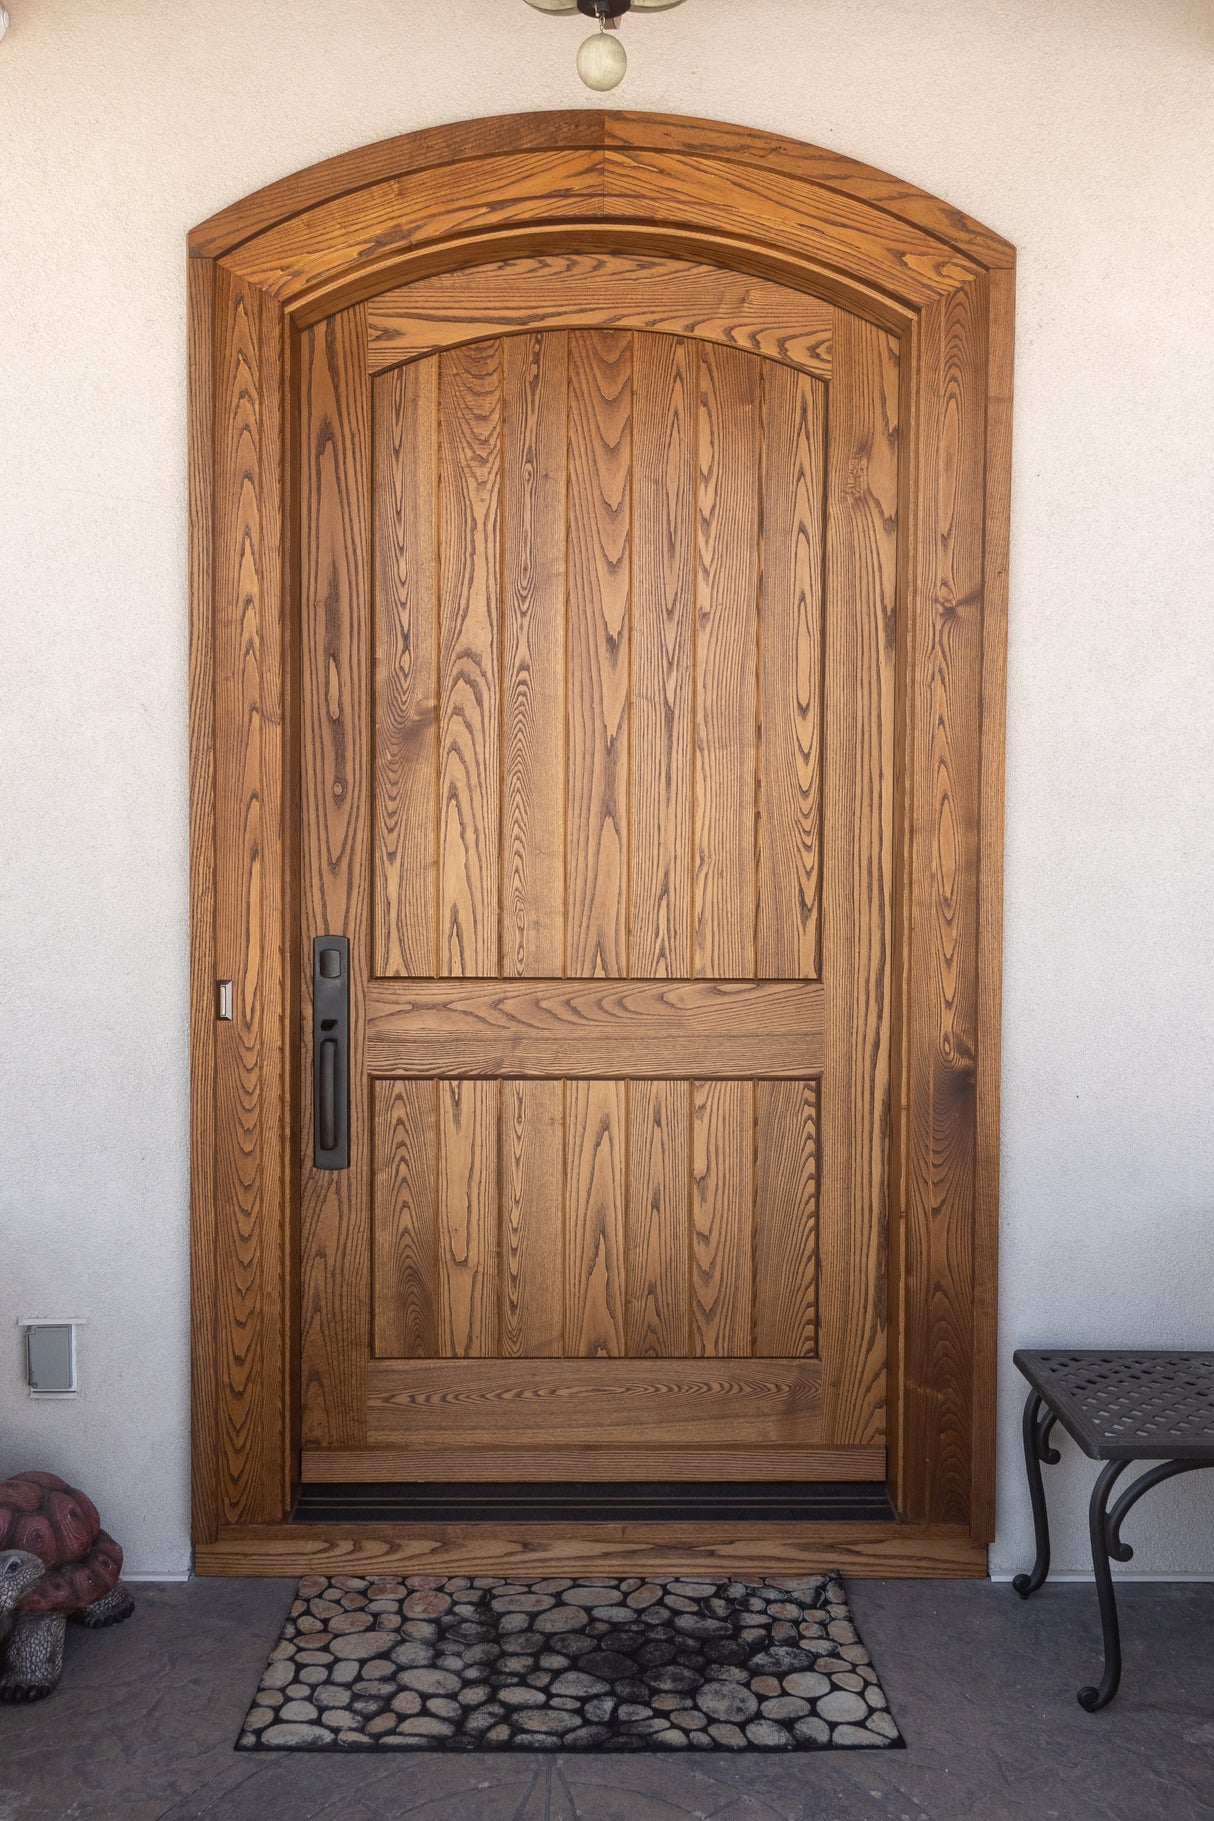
(1118, 1409)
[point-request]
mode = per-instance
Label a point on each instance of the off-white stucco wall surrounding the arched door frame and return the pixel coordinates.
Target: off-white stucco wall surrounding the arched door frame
(1082, 130)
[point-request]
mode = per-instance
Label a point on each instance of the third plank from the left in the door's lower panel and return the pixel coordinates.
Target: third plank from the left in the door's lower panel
(532, 1239)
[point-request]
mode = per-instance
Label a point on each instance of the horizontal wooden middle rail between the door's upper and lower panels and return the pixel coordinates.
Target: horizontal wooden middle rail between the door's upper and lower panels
(552, 1028)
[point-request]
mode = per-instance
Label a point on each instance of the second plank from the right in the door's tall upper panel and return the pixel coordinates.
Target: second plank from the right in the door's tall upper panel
(727, 664)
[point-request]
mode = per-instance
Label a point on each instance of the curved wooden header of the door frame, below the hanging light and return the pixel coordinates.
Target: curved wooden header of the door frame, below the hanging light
(398, 212)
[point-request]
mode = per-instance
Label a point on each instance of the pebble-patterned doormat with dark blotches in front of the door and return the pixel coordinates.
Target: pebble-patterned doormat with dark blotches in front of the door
(491, 1665)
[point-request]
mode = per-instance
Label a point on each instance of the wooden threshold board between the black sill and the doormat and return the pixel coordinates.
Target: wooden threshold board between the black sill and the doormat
(887, 1551)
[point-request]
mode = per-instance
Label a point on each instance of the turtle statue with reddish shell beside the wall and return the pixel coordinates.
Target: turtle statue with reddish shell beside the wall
(56, 1565)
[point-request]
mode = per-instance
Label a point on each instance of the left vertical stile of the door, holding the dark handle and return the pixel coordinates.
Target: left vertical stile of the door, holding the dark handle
(336, 687)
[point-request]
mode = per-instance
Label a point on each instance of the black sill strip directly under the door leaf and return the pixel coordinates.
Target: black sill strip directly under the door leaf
(594, 1503)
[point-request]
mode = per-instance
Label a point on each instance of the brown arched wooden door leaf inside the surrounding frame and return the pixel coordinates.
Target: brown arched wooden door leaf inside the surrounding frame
(598, 571)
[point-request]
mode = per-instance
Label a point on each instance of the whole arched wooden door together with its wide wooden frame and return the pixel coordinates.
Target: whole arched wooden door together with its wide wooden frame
(612, 851)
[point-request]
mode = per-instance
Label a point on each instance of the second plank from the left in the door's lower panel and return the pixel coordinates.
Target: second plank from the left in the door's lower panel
(467, 1219)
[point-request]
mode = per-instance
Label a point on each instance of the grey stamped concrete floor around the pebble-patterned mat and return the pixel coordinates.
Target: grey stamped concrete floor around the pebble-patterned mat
(984, 1687)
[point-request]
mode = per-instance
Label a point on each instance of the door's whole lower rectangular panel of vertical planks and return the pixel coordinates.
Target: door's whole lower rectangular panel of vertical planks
(678, 1219)
